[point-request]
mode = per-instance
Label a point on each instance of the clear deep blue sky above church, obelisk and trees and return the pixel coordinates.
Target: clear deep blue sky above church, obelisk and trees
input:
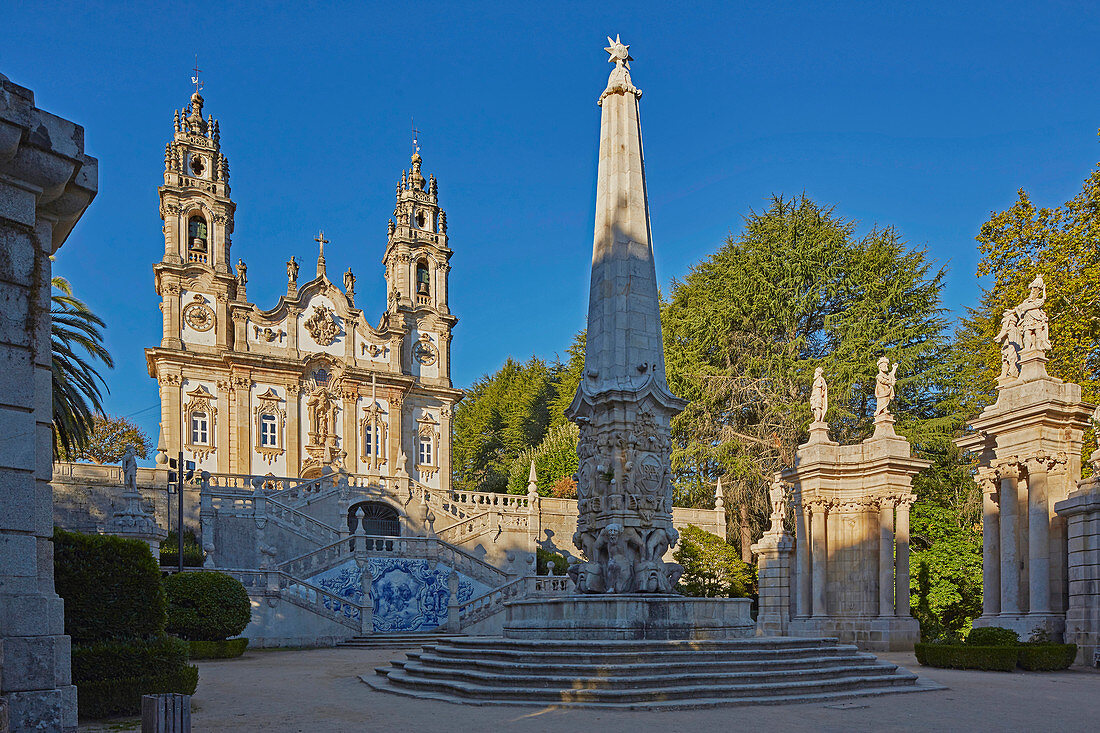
(920, 116)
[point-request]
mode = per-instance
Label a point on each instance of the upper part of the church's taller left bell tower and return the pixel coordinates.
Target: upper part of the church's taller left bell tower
(199, 221)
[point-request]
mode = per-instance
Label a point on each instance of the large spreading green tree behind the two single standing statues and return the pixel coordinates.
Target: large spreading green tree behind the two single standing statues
(796, 290)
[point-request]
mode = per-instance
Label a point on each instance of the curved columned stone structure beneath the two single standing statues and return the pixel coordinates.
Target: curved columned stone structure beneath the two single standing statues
(852, 543)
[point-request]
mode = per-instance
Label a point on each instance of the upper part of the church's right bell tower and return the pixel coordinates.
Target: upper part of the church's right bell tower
(417, 266)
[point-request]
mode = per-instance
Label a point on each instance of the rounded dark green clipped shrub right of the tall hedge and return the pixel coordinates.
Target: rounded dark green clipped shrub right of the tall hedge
(210, 607)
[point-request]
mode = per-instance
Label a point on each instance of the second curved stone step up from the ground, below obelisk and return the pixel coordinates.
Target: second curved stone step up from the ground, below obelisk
(613, 679)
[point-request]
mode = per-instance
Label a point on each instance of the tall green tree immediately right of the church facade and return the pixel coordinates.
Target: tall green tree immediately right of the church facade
(502, 415)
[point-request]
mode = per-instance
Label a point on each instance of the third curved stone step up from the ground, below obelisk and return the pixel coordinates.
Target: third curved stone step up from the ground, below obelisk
(642, 666)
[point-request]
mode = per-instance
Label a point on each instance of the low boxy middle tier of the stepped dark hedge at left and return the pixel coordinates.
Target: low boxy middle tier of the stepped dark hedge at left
(93, 663)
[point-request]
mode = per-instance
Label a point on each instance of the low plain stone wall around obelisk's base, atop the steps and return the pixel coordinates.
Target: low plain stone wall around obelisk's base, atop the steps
(630, 617)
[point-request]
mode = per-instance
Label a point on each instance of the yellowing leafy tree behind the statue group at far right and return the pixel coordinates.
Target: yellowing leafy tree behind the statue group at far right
(1063, 245)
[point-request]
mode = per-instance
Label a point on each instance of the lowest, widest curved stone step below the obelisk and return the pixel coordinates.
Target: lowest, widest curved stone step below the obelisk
(744, 692)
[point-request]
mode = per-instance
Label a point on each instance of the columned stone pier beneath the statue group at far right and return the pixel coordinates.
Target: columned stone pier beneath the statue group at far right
(1029, 447)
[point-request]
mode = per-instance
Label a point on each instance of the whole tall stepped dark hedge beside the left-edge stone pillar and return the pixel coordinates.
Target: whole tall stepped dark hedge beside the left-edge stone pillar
(116, 612)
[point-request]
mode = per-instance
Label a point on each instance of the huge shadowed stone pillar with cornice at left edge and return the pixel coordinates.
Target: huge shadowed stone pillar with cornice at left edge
(47, 182)
